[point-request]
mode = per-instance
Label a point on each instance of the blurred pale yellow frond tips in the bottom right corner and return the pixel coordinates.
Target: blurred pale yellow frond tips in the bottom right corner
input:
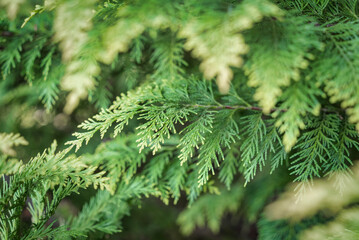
(320, 198)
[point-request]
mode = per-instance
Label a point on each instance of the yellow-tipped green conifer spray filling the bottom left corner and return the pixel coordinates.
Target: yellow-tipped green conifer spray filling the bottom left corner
(48, 171)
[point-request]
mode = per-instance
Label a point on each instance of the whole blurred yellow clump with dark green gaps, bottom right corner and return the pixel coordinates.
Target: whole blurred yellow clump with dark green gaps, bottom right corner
(330, 217)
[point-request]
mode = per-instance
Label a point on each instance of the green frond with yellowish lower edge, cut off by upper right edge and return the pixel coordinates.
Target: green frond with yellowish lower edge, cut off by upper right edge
(342, 39)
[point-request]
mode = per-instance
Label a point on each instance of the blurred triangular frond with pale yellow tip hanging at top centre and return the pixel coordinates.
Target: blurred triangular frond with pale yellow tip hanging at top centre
(208, 39)
